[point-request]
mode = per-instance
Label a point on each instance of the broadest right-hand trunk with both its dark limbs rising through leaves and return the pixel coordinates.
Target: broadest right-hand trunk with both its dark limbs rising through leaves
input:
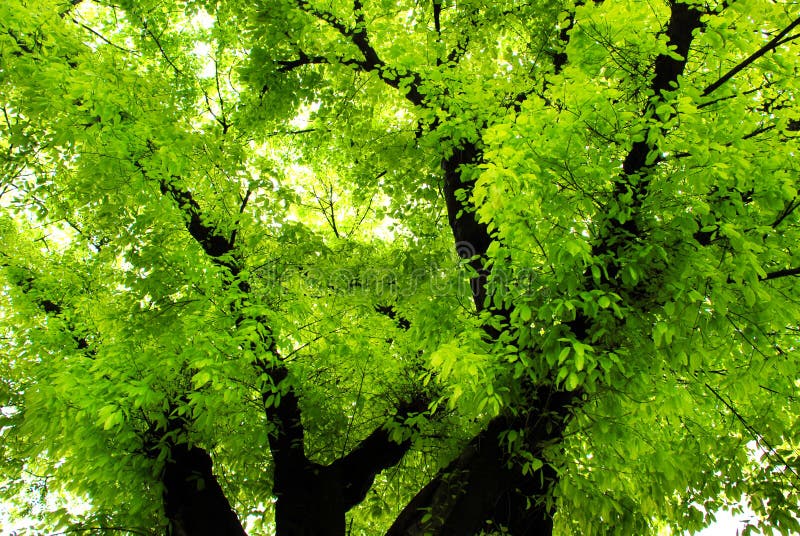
(479, 487)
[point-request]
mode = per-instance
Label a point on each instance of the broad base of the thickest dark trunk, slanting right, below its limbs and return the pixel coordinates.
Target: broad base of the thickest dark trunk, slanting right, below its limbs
(480, 490)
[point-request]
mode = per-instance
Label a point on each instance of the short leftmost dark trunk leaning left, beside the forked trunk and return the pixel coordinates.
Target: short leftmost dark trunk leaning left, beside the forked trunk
(194, 502)
